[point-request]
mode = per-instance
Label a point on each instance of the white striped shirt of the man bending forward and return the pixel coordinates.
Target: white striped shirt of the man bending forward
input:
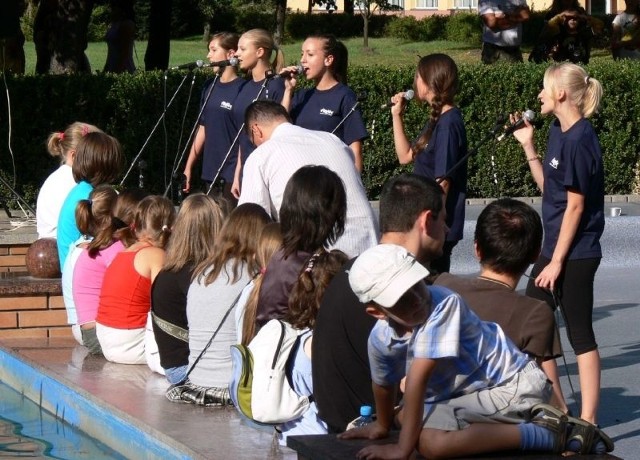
(271, 165)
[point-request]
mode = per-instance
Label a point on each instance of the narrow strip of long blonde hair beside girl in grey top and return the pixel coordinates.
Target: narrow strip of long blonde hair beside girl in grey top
(270, 241)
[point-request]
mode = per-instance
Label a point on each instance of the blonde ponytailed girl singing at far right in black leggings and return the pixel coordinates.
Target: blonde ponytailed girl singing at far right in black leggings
(571, 178)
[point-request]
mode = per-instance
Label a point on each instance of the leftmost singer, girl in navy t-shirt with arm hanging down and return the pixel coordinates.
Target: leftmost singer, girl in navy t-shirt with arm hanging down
(217, 128)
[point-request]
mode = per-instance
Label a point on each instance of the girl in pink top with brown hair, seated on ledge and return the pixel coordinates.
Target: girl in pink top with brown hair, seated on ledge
(112, 233)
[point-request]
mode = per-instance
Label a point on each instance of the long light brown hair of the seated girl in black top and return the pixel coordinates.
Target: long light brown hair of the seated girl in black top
(196, 227)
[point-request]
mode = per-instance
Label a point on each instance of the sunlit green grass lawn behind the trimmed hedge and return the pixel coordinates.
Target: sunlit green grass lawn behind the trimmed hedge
(388, 51)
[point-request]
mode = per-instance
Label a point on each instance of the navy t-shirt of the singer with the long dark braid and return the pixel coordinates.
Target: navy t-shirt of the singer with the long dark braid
(448, 144)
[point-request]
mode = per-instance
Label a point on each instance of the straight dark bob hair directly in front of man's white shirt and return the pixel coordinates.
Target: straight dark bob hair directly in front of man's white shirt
(313, 211)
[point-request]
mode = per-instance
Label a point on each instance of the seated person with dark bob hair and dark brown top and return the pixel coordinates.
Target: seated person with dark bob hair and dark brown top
(312, 217)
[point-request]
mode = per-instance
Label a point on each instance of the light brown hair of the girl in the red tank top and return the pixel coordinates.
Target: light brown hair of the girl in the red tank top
(153, 220)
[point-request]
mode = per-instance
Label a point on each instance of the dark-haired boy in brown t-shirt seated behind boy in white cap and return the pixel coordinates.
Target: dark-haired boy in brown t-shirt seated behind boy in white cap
(508, 239)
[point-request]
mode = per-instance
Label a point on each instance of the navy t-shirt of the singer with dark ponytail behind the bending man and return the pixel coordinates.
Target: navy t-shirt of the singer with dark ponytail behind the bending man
(323, 110)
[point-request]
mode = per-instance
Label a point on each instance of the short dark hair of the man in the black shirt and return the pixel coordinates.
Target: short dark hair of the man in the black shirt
(404, 197)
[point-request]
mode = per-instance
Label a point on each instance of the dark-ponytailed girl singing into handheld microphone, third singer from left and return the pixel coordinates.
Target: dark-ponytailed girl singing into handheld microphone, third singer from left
(324, 60)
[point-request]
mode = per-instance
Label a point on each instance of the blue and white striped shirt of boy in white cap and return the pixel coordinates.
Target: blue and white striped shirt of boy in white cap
(472, 354)
